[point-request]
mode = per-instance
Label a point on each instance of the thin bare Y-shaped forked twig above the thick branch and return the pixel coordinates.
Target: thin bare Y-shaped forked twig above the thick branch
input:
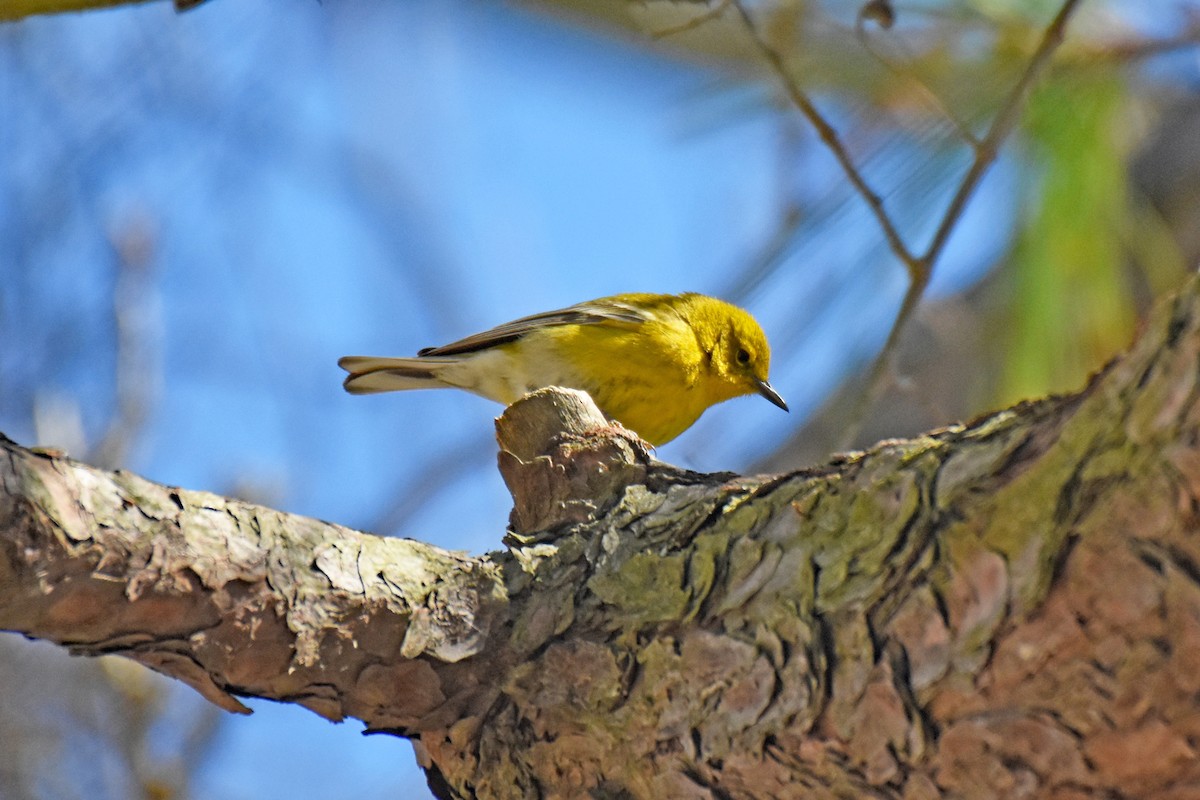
(986, 152)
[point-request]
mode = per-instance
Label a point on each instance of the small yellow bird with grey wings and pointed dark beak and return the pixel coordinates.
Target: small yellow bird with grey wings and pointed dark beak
(653, 363)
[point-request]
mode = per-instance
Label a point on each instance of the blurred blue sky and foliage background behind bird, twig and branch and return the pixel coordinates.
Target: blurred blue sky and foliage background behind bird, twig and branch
(201, 213)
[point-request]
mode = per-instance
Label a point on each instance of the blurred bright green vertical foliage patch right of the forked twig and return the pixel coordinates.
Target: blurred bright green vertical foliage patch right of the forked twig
(1081, 251)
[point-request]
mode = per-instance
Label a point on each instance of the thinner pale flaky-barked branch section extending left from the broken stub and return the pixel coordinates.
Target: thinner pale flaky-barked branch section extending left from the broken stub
(236, 599)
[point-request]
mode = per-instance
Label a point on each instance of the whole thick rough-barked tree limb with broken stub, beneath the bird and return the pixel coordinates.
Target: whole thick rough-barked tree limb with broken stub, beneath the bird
(1007, 609)
